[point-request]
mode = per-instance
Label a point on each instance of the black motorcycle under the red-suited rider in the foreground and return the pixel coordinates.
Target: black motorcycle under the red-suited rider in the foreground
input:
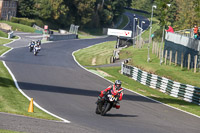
(105, 103)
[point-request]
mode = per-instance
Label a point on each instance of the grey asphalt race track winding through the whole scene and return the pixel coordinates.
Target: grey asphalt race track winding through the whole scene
(59, 85)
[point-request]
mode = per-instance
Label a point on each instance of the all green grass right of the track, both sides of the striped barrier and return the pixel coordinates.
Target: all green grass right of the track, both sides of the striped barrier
(139, 57)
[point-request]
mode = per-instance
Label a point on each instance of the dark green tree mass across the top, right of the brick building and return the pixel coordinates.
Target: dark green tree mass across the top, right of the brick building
(85, 13)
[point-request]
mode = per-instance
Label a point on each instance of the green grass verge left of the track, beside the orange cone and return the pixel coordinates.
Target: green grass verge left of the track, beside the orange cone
(12, 101)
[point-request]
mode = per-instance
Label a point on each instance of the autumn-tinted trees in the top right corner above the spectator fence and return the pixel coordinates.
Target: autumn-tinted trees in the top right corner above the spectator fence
(180, 14)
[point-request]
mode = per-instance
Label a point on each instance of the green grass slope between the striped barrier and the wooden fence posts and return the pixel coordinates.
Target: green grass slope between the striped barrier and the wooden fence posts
(139, 59)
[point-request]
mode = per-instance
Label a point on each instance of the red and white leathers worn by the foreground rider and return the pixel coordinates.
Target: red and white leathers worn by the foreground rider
(118, 92)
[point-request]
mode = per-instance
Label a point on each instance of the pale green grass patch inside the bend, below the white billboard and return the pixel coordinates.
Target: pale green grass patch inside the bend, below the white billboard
(100, 54)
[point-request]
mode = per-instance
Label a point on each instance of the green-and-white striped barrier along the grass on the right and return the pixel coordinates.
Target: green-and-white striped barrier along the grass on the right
(187, 92)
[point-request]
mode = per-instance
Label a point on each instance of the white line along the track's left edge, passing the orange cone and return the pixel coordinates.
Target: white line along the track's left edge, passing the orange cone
(17, 86)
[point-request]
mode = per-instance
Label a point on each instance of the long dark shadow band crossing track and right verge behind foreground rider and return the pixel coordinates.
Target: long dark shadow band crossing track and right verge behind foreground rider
(95, 93)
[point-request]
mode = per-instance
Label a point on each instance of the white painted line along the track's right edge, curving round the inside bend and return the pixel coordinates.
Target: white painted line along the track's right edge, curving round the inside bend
(129, 89)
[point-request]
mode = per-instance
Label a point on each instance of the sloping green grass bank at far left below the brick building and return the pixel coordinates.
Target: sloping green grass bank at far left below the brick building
(19, 27)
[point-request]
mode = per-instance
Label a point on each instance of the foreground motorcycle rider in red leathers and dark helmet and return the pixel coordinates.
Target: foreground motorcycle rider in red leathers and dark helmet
(116, 89)
